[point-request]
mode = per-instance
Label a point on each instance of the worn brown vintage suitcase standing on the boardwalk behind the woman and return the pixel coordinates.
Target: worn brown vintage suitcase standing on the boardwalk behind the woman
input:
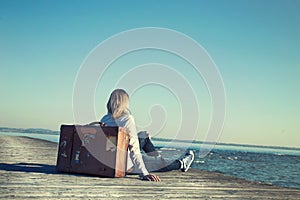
(93, 150)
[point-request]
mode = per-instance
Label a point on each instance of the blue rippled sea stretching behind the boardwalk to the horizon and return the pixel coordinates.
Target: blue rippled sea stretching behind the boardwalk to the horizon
(273, 165)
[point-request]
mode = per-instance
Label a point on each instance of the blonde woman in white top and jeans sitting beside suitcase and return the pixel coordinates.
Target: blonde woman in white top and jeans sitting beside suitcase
(119, 115)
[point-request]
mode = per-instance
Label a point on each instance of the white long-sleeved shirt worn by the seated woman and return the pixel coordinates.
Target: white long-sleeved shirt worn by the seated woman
(127, 121)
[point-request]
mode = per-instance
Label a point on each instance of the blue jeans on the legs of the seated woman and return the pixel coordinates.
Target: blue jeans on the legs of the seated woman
(153, 161)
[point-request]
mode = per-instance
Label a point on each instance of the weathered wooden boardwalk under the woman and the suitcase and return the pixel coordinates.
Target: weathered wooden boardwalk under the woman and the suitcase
(27, 171)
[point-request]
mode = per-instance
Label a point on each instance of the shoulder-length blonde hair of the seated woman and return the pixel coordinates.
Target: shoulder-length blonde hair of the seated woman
(118, 103)
